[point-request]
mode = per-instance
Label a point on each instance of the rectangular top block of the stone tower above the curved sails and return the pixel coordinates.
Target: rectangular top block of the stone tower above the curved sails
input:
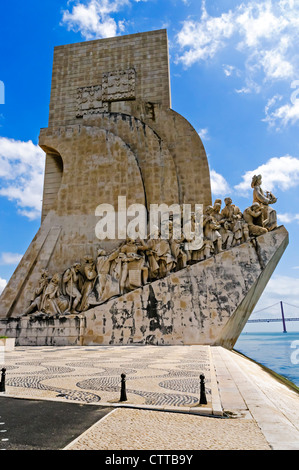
(102, 75)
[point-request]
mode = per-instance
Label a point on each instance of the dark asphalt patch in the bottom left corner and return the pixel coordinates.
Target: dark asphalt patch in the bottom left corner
(44, 424)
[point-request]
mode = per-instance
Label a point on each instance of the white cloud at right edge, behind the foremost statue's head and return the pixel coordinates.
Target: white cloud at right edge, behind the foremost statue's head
(278, 172)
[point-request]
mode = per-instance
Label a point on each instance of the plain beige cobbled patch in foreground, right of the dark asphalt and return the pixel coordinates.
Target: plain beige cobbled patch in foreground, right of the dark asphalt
(126, 429)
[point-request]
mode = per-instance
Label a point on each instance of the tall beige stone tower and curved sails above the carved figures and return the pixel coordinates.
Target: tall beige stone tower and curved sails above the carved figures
(136, 147)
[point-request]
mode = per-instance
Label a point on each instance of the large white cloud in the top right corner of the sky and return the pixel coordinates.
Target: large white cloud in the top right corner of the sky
(265, 32)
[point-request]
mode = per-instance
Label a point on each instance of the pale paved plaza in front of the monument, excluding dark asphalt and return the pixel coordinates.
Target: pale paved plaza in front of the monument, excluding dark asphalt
(247, 408)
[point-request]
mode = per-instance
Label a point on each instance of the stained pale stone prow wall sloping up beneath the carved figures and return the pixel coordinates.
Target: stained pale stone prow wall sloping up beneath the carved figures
(206, 303)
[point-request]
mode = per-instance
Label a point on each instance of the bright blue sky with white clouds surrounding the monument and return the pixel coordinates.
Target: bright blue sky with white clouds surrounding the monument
(234, 75)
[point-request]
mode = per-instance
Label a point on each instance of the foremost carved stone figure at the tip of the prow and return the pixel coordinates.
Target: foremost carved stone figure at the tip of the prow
(264, 199)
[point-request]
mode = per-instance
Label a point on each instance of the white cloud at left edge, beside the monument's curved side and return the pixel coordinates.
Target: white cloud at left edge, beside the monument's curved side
(21, 175)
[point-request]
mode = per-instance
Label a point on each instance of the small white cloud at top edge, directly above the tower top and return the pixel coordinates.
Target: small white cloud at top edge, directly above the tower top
(94, 19)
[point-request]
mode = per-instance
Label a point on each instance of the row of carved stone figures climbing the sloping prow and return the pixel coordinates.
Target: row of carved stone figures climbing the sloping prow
(137, 262)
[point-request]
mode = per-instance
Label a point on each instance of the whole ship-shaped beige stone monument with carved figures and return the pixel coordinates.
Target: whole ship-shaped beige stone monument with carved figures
(113, 139)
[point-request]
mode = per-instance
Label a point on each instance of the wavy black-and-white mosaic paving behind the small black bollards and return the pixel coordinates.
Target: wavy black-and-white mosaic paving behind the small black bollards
(159, 376)
